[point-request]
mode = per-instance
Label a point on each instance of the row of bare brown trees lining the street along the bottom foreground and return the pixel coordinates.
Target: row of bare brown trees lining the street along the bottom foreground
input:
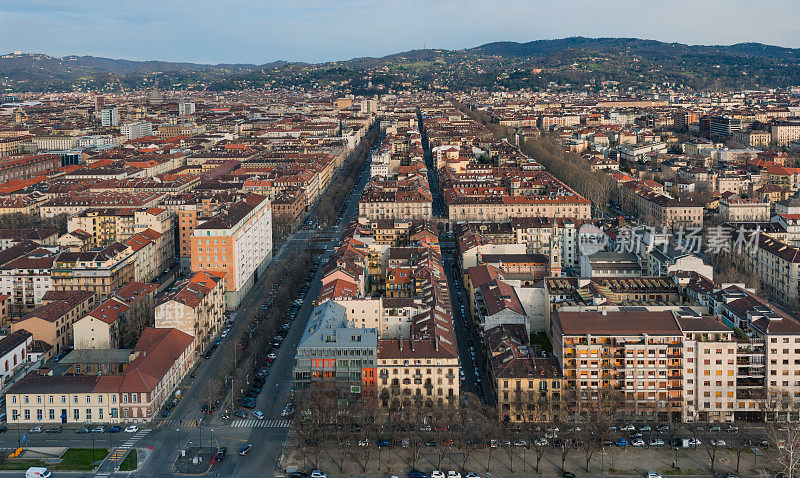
(331, 421)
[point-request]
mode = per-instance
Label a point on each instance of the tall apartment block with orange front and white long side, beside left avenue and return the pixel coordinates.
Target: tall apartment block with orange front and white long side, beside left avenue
(237, 243)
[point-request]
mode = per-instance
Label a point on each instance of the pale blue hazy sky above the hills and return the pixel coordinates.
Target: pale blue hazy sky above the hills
(260, 31)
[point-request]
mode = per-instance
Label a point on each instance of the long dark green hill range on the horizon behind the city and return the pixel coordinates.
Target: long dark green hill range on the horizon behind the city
(568, 63)
